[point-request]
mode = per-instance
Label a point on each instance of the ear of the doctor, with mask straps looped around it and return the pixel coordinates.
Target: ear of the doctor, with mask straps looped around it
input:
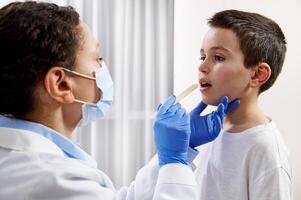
(58, 85)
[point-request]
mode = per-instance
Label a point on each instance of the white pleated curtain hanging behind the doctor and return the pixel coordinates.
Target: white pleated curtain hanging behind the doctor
(136, 38)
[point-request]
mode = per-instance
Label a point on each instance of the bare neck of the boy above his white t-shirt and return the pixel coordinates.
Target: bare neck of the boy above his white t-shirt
(246, 115)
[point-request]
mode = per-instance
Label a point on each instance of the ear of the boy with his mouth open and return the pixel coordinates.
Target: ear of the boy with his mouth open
(260, 74)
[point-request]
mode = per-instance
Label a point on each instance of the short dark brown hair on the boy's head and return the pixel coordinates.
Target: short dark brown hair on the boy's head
(261, 39)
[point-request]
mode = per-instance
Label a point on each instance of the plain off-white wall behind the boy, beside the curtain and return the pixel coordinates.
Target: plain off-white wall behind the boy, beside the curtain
(282, 101)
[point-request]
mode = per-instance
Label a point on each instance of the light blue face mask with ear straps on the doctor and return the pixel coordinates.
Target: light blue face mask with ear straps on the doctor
(90, 111)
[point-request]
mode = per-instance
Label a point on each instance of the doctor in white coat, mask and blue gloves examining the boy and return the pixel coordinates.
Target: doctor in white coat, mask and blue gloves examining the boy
(51, 81)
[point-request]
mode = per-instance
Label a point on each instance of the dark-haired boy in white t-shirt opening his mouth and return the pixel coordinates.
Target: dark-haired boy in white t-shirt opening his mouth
(242, 55)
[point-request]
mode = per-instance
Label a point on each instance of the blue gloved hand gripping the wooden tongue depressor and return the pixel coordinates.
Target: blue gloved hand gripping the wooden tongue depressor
(172, 132)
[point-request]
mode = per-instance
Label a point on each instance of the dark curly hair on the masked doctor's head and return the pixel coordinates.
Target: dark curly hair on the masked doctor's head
(34, 36)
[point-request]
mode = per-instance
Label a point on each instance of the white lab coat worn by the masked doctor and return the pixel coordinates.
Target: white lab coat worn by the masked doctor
(33, 168)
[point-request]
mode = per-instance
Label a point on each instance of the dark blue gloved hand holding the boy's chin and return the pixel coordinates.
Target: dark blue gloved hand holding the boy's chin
(206, 128)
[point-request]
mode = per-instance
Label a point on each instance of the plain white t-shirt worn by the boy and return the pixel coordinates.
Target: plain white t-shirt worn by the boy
(251, 165)
